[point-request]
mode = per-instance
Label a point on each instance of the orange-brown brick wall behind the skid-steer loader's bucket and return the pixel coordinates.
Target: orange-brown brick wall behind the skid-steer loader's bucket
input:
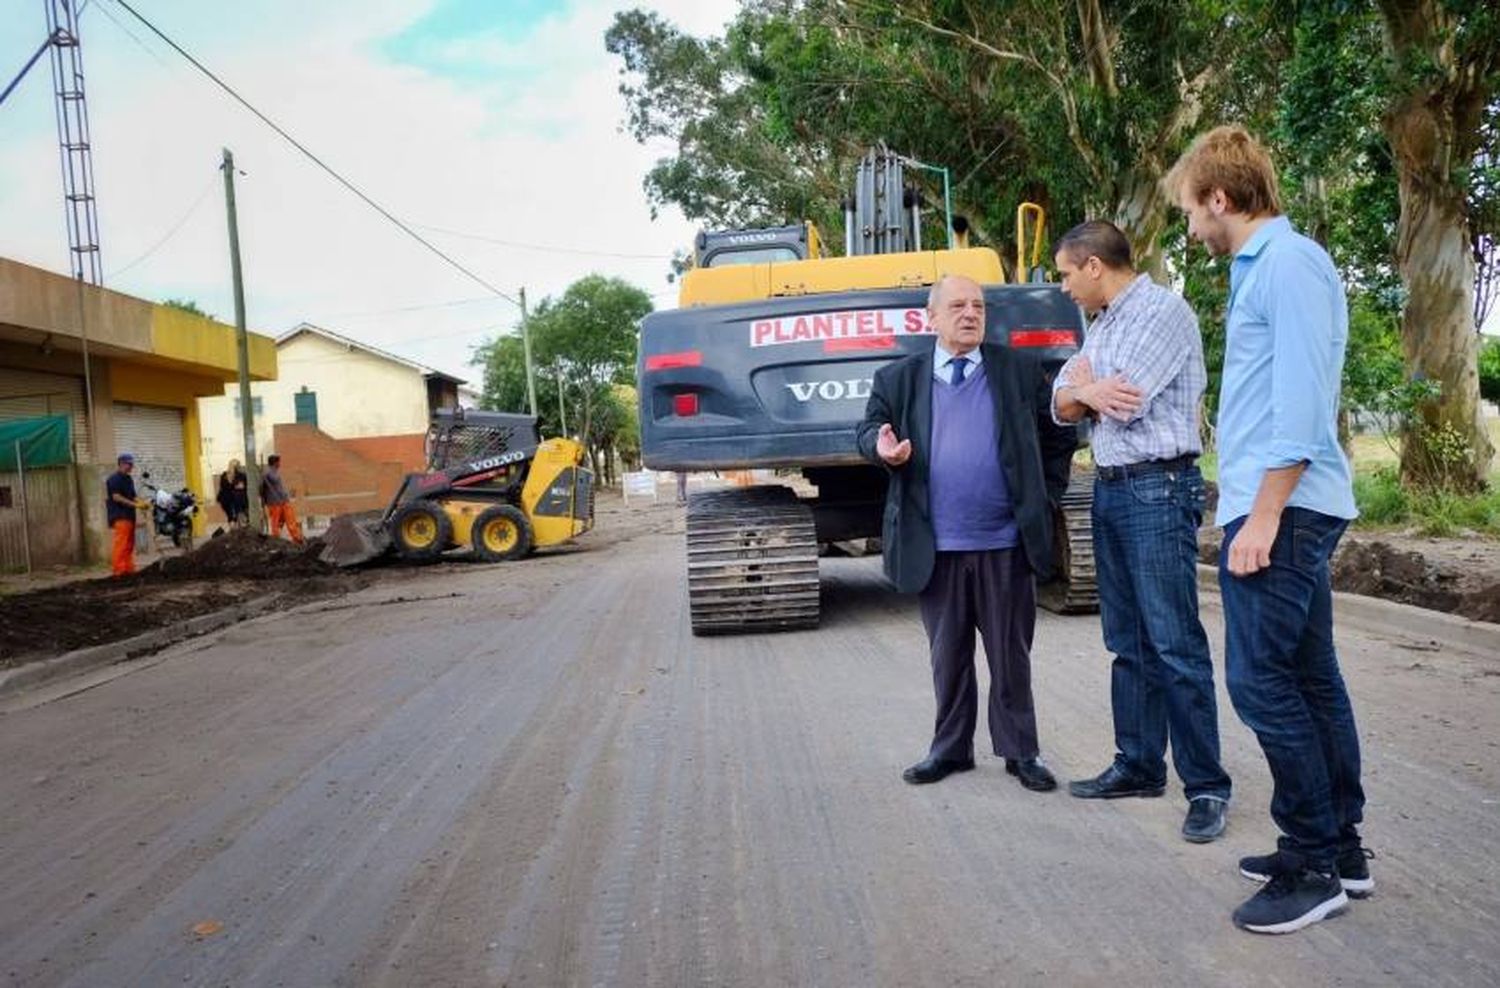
(334, 478)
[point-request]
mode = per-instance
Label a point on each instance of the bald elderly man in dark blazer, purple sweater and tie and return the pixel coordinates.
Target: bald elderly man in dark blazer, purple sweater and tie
(976, 463)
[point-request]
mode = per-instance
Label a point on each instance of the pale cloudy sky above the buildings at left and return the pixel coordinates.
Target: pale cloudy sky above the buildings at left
(472, 121)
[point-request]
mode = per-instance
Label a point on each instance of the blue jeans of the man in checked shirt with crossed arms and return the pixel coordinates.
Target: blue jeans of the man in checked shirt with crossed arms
(1162, 683)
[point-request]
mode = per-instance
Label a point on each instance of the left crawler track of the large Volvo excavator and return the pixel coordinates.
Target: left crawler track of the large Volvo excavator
(752, 561)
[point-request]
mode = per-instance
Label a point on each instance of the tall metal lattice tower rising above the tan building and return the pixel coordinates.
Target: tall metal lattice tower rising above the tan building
(73, 136)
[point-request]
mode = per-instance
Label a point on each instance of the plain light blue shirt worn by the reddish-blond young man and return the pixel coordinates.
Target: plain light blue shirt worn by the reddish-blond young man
(1283, 368)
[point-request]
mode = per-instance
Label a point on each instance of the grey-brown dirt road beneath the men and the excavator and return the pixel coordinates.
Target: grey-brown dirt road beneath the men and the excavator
(533, 774)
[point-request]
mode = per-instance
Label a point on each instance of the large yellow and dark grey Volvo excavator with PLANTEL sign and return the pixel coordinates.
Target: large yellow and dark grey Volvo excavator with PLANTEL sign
(767, 365)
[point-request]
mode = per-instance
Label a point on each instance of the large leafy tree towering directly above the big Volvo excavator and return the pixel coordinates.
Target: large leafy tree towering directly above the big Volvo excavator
(1076, 107)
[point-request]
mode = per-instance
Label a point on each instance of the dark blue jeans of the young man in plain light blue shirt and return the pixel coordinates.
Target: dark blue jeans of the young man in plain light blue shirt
(1285, 681)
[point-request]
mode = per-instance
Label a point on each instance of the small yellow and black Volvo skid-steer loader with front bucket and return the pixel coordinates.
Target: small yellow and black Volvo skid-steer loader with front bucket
(491, 485)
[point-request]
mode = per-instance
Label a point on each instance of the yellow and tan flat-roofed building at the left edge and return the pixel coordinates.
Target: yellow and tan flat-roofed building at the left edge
(146, 371)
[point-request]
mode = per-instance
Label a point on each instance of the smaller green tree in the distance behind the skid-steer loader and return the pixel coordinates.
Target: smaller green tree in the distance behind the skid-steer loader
(584, 346)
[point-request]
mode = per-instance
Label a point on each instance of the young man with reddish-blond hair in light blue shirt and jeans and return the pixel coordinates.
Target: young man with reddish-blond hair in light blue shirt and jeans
(1285, 500)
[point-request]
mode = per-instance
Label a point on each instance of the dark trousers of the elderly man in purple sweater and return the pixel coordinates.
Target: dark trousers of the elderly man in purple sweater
(995, 593)
